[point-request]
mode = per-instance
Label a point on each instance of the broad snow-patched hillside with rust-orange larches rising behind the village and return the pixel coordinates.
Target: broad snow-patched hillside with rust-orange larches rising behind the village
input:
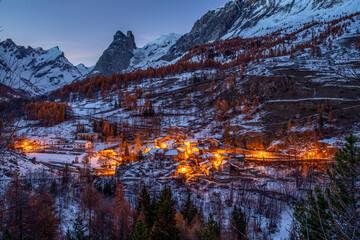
(284, 91)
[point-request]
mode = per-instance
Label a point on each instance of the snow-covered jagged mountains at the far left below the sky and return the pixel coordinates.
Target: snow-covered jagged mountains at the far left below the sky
(36, 71)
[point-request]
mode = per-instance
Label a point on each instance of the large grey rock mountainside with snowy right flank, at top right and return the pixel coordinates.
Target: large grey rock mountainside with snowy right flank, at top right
(246, 18)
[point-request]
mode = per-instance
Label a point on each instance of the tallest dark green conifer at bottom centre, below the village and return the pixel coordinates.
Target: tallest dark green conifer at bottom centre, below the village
(165, 224)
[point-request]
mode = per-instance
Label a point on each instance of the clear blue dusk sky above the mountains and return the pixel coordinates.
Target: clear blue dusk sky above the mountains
(84, 28)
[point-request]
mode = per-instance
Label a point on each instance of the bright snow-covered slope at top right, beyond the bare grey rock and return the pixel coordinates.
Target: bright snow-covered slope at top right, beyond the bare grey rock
(274, 15)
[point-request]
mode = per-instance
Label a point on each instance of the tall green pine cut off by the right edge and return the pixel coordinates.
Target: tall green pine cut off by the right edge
(344, 193)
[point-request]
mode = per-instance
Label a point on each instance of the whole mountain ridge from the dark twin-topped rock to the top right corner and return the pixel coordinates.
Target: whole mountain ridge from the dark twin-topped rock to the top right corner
(238, 18)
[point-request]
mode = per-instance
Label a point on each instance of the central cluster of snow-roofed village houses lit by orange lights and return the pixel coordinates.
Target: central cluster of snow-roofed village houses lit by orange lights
(200, 156)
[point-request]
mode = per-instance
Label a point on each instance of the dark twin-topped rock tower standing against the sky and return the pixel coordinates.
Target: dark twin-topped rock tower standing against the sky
(116, 58)
